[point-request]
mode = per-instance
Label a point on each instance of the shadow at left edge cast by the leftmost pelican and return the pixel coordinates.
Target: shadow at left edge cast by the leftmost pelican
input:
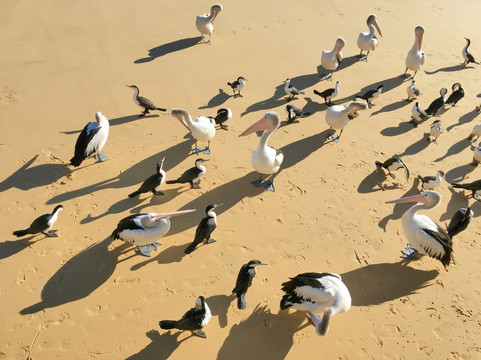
(27, 177)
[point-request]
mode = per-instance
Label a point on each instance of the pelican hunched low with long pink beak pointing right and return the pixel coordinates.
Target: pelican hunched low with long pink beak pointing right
(143, 230)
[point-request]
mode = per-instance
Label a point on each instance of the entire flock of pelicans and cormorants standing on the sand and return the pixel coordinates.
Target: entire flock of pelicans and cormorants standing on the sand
(313, 292)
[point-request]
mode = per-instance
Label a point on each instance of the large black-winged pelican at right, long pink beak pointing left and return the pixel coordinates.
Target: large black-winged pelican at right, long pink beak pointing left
(425, 237)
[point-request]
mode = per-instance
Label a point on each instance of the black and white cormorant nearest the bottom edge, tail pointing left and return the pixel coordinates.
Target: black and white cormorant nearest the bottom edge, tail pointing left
(193, 320)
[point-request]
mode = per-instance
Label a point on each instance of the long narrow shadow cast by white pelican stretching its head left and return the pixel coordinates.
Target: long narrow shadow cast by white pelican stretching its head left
(134, 175)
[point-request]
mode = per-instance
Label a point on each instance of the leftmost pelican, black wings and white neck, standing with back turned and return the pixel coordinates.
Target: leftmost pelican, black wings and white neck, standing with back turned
(91, 141)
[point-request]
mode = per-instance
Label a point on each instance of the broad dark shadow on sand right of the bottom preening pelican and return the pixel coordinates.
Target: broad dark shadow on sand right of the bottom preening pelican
(375, 284)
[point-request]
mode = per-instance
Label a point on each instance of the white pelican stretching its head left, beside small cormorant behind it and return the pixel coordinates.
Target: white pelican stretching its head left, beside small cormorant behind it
(202, 128)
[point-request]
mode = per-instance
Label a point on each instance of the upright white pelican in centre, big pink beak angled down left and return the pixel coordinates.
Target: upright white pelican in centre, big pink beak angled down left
(265, 159)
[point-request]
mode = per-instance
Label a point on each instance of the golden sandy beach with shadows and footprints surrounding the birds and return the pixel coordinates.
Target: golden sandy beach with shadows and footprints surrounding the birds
(82, 295)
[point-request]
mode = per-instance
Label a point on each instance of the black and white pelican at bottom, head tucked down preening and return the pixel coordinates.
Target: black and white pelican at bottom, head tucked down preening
(316, 292)
